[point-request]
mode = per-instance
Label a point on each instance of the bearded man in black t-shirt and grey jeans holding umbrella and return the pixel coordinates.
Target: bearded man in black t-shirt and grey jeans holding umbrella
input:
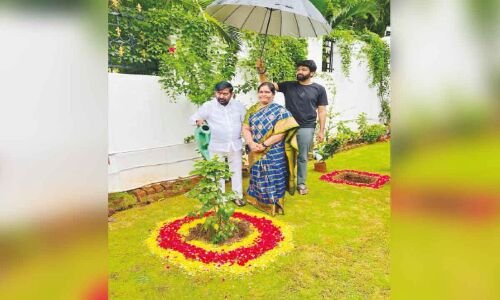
(306, 101)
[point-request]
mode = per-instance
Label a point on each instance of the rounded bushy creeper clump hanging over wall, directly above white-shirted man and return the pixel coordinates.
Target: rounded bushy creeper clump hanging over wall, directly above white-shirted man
(199, 60)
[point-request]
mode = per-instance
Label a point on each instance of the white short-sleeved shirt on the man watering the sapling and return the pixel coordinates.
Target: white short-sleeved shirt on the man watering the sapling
(225, 124)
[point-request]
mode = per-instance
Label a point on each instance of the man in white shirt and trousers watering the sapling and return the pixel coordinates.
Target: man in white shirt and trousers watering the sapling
(225, 116)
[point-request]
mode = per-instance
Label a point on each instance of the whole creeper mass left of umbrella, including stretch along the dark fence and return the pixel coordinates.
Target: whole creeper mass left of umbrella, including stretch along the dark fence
(180, 45)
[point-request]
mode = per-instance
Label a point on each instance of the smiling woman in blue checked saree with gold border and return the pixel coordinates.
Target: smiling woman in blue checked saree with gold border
(269, 131)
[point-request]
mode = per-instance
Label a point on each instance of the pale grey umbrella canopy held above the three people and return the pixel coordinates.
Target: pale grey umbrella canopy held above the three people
(296, 18)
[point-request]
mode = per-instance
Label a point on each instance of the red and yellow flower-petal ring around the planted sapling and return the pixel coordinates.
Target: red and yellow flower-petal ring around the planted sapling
(268, 239)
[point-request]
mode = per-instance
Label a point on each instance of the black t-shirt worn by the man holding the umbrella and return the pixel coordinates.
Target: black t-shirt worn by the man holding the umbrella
(303, 100)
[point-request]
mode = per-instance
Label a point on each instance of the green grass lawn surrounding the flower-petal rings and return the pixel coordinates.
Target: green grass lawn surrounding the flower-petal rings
(340, 233)
